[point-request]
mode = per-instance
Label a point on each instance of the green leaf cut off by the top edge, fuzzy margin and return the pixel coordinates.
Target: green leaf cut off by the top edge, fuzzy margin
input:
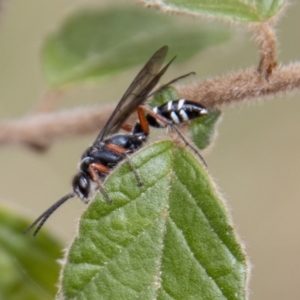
(237, 10)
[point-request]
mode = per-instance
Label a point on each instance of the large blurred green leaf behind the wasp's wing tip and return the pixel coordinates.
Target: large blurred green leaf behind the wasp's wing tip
(97, 43)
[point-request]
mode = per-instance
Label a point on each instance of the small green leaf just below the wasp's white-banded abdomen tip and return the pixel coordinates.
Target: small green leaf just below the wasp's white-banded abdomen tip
(203, 129)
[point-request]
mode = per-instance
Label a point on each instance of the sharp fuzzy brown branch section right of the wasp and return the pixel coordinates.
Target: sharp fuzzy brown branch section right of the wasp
(242, 86)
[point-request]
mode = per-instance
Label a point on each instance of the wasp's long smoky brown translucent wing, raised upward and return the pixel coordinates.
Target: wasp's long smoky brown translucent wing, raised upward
(135, 93)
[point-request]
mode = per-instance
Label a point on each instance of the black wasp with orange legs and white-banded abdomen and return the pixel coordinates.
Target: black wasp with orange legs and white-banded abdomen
(110, 148)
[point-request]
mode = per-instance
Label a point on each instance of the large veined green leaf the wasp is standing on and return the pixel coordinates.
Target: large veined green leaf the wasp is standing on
(172, 238)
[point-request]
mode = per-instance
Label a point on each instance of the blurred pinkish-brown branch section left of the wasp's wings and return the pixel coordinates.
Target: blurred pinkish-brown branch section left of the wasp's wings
(39, 131)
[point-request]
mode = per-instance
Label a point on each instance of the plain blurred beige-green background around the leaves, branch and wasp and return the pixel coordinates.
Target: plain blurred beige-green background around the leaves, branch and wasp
(254, 160)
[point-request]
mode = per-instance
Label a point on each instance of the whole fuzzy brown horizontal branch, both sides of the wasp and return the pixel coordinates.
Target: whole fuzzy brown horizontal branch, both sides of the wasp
(40, 130)
